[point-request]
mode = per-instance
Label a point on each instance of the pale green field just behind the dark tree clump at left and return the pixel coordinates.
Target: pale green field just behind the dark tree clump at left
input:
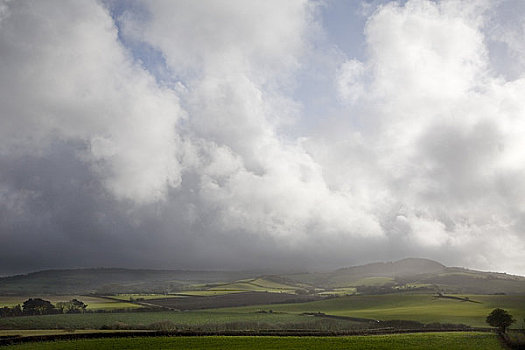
(94, 303)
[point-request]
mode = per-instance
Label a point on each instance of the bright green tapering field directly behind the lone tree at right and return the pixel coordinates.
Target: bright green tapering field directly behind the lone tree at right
(417, 307)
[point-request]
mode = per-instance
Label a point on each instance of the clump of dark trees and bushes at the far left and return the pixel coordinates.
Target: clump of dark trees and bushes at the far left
(38, 306)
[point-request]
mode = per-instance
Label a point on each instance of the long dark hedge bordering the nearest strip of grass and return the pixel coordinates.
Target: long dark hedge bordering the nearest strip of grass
(11, 340)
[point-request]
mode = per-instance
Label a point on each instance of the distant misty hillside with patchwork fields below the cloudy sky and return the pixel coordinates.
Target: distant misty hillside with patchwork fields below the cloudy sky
(410, 274)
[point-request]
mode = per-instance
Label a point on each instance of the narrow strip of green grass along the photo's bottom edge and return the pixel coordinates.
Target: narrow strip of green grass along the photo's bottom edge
(459, 341)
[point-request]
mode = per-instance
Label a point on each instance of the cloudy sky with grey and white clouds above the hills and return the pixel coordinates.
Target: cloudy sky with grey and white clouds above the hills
(261, 135)
